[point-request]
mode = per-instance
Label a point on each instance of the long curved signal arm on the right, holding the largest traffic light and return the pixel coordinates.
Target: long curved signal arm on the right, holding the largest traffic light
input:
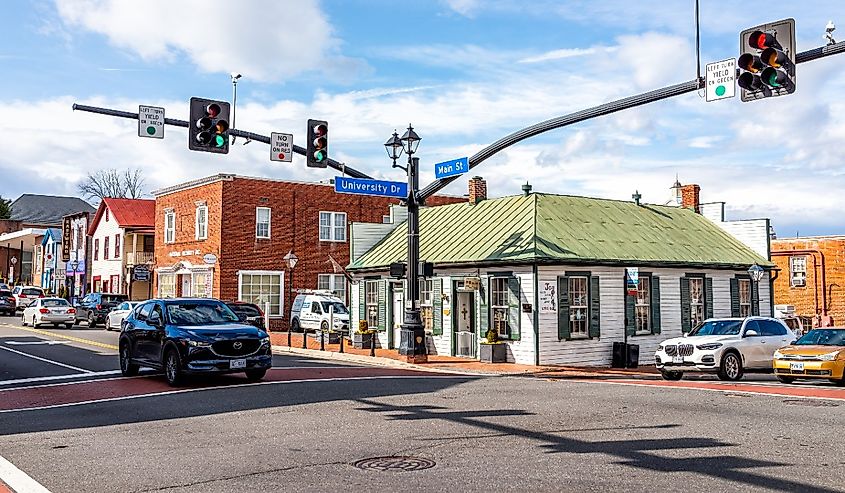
(601, 110)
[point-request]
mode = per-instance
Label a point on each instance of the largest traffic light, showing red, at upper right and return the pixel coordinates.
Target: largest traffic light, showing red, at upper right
(767, 60)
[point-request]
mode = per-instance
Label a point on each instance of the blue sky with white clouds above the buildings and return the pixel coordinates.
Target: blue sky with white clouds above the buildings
(465, 73)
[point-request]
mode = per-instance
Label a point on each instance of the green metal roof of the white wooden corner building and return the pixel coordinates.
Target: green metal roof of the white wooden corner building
(548, 228)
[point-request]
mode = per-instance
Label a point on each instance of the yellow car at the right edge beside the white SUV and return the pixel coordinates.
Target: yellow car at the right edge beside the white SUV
(819, 353)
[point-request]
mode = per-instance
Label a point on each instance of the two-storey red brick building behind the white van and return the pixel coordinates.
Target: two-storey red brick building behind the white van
(225, 236)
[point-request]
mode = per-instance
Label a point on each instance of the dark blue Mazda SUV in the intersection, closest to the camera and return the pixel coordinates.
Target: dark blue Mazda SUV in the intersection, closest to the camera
(182, 336)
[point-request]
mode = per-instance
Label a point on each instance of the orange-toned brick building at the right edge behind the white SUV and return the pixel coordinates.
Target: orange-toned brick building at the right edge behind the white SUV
(812, 275)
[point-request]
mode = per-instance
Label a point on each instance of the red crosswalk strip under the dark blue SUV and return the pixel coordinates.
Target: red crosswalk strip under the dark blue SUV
(99, 390)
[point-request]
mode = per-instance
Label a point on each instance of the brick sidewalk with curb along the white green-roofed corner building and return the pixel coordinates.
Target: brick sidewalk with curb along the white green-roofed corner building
(437, 363)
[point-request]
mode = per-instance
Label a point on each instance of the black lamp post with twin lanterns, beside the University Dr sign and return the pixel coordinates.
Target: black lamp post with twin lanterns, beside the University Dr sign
(412, 339)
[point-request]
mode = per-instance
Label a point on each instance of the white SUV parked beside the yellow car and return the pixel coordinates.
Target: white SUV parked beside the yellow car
(725, 346)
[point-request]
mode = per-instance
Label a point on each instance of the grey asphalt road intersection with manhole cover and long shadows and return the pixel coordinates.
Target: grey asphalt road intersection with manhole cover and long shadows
(306, 427)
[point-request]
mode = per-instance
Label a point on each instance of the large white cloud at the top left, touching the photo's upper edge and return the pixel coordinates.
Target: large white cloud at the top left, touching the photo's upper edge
(277, 41)
